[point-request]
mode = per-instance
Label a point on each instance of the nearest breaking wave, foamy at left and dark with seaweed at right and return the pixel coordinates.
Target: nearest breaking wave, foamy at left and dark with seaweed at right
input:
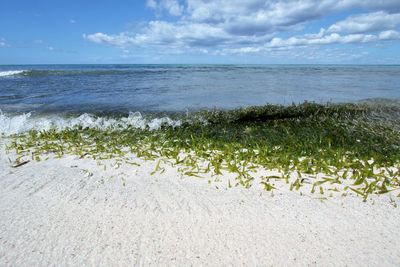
(382, 111)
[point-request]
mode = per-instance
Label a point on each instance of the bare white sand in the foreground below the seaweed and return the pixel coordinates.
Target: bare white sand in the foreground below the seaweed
(56, 213)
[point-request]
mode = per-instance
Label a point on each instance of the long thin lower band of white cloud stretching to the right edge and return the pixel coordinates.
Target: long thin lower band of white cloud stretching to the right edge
(183, 40)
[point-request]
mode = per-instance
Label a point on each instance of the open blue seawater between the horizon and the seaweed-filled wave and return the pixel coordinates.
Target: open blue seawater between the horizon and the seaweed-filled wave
(44, 89)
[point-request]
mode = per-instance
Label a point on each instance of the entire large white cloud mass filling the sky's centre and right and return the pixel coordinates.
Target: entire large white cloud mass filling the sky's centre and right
(248, 26)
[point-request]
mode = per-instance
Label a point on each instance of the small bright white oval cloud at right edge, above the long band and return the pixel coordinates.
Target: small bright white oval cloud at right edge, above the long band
(369, 22)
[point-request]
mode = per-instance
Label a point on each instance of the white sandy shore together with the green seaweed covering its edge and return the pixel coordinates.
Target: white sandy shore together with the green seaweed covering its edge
(256, 186)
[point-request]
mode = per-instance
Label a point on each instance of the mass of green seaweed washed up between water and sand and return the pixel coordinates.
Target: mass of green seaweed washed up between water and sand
(359, 143)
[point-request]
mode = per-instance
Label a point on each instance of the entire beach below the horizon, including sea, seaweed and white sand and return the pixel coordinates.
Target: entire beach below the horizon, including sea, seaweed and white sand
(146, 165)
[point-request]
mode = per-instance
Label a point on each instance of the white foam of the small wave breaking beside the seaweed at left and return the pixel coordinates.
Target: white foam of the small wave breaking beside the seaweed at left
(25, 122)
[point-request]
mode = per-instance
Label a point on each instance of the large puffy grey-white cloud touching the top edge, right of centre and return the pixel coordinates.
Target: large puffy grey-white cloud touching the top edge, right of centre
(259, 16)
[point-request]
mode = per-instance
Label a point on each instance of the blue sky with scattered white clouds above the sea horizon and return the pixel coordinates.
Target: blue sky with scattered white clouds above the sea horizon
(200, 32)
